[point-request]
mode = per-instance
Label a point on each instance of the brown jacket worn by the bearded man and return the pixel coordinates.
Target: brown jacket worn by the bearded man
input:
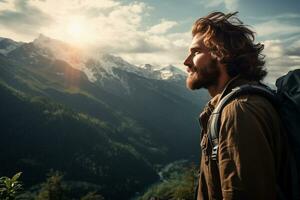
(251, 156)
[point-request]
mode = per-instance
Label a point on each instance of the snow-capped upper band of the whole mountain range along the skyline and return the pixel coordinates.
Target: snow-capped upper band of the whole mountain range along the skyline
(96, 66)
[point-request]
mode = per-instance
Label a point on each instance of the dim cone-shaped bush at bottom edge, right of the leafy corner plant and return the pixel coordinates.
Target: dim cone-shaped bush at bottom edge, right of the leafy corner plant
(53, 188)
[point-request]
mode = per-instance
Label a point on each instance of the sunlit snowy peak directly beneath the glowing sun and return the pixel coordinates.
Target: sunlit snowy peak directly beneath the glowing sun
(96, 66)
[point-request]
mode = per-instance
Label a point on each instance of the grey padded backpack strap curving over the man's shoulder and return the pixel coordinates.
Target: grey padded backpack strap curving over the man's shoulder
(215, 118)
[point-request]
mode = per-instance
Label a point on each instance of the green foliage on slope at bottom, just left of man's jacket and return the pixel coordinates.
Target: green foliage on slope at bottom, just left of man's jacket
(179, 186)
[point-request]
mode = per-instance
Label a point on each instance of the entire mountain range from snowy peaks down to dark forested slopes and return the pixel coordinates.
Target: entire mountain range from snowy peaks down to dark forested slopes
(100, 121)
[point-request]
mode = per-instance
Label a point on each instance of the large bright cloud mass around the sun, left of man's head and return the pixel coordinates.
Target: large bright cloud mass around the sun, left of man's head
(109, 26)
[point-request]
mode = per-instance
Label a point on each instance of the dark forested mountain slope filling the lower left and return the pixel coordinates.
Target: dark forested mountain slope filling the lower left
(82, 146)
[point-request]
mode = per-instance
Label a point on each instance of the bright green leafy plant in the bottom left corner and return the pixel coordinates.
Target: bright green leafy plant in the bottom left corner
(10, 187)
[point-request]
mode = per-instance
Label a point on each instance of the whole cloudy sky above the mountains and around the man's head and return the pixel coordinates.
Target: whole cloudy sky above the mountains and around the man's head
(157, 32)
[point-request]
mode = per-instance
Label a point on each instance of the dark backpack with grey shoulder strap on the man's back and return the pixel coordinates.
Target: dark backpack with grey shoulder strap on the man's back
(286, 101)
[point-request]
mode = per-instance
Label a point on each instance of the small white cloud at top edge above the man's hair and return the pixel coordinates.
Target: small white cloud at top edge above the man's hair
(230, 5)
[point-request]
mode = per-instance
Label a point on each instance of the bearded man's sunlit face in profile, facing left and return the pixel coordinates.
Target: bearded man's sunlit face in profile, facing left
(203, 69)
